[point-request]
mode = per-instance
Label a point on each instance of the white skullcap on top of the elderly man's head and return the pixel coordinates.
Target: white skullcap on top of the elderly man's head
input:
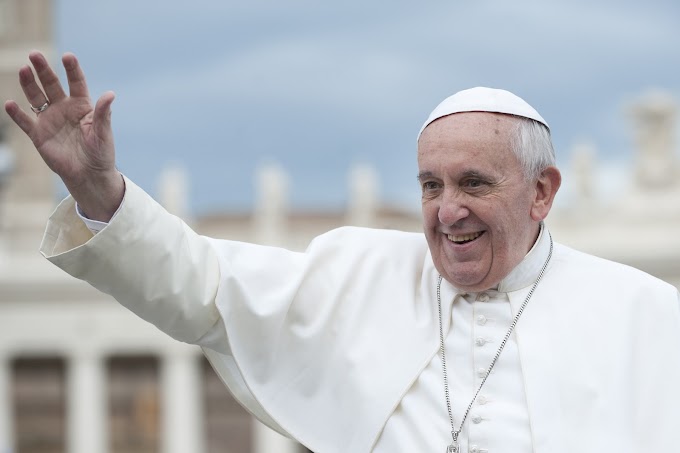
(482, 99)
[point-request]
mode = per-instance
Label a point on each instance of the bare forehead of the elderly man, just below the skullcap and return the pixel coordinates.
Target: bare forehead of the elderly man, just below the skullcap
(469, 135)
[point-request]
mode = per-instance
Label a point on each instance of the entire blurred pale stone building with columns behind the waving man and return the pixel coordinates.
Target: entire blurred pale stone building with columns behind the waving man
(80, 374)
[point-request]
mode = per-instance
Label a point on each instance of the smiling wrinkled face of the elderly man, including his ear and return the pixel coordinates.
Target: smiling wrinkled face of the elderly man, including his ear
(480, 214)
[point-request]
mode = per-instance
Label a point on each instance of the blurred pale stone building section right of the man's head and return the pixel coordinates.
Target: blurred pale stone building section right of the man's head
(640, 225)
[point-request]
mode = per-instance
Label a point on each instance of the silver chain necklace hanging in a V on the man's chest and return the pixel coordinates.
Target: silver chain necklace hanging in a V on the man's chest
(454, 447)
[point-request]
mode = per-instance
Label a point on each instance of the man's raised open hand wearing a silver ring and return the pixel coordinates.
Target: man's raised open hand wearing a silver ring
(74, 139)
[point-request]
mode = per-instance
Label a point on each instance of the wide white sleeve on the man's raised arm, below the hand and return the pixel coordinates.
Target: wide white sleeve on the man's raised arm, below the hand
(147, 259)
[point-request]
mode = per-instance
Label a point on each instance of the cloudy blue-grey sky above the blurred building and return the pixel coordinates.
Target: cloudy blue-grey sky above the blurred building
(221, 87)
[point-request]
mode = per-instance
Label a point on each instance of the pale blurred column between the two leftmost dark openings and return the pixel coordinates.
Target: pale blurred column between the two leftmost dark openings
(86, 406)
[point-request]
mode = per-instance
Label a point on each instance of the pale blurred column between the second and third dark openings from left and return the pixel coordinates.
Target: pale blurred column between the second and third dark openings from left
(182, 410)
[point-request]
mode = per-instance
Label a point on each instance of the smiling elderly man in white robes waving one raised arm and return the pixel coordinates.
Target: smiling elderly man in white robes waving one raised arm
(483, 335)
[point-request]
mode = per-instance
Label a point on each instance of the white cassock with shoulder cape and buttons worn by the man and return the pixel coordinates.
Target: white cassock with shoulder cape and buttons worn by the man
(337, 346)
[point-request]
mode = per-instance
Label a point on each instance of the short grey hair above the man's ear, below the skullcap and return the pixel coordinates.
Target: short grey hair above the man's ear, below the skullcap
(533, 147)
